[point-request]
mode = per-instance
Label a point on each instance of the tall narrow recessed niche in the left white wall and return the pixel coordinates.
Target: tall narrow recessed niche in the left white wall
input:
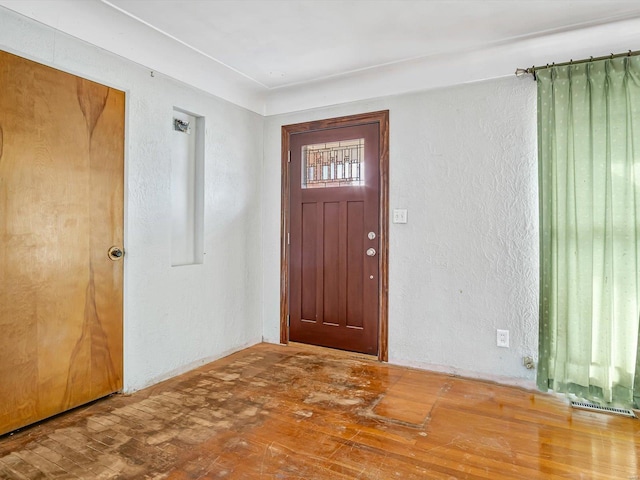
(187, 188)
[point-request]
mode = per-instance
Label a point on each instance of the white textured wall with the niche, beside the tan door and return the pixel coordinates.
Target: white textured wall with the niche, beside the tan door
(175, 317)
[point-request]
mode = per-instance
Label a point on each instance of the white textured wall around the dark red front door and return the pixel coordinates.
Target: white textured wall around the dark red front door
(463, 162)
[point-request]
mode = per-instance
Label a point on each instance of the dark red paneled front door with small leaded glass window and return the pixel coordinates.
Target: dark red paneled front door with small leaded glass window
(334, 242)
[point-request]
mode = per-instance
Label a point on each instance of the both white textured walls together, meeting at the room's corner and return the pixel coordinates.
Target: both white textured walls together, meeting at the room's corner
(463, 163)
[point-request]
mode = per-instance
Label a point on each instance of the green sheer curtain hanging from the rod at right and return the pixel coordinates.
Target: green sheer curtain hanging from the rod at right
(589, 183)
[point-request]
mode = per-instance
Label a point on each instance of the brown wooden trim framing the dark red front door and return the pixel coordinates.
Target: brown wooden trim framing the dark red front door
(382, 119)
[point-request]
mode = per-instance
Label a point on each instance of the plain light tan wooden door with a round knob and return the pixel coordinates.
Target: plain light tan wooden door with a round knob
(61, 209)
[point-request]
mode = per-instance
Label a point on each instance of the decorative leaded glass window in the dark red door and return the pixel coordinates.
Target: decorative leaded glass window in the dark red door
(336, 164)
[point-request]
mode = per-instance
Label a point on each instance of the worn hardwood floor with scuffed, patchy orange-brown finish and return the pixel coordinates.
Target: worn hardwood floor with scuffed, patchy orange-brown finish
(296, 412)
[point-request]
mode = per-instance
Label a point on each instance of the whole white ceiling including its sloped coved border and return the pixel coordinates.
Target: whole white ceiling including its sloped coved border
(281, 55)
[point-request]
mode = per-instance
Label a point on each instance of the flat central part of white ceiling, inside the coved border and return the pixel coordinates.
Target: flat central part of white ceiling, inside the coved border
(282, 42)
